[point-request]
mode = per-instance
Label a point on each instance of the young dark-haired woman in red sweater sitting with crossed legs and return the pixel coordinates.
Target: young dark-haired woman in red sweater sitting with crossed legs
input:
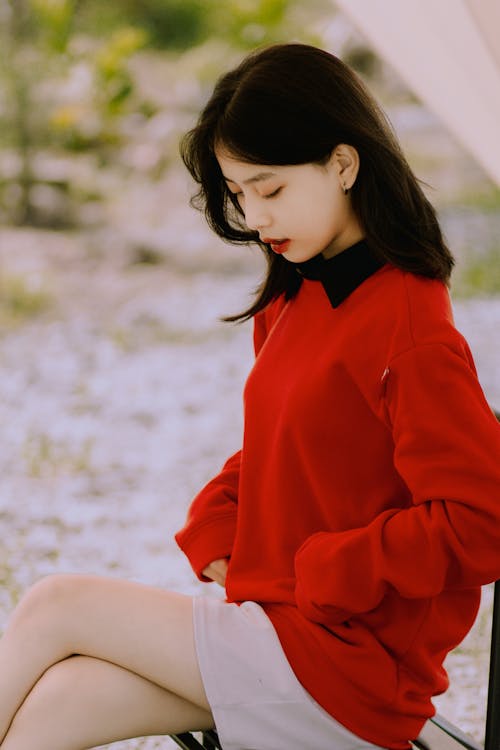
(353, 530)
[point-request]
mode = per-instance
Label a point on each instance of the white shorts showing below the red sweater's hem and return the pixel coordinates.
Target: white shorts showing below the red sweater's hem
(256, 700)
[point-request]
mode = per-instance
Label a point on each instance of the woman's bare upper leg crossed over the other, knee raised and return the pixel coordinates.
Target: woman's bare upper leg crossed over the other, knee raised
(146, 630)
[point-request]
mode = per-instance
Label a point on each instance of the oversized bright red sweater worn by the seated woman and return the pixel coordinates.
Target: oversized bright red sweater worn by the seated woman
(363, 511)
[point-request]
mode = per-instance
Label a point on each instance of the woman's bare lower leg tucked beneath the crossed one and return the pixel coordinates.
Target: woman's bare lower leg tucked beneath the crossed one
(82, 702)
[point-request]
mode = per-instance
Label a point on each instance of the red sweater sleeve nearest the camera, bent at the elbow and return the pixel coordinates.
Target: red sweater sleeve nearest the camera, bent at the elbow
(447, 450)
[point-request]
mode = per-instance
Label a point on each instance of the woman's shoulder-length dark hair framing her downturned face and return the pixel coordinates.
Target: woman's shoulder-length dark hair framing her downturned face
(293, 104)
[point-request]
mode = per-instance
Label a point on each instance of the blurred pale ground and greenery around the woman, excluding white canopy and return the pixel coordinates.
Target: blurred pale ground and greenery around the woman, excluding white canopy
(120, 388)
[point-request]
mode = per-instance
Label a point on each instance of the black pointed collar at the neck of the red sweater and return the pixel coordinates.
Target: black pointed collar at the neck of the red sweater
(343, 273)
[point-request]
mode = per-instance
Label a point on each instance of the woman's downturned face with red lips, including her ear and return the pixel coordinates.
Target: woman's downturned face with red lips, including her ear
(300, 210)
